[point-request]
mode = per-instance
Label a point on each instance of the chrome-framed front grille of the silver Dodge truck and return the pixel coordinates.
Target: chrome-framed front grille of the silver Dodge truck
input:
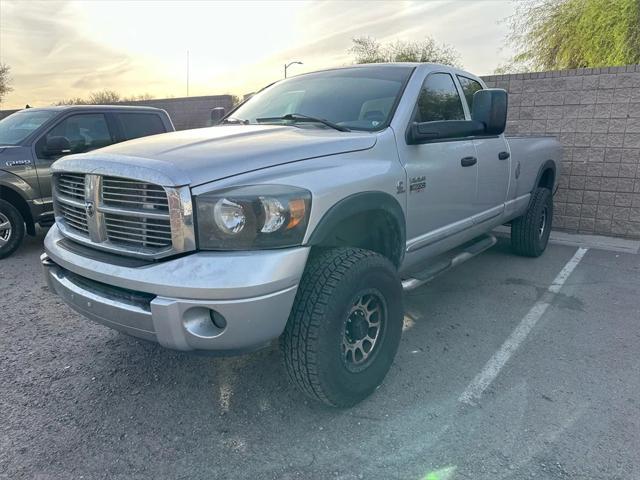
(127, 216)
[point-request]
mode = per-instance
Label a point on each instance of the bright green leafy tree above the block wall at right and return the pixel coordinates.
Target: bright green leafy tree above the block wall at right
(564, 34)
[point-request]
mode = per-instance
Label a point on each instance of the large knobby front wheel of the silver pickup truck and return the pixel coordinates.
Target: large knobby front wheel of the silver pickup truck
(345, 326)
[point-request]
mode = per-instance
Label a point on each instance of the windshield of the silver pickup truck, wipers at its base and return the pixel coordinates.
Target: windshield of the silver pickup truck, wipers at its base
(360, 98)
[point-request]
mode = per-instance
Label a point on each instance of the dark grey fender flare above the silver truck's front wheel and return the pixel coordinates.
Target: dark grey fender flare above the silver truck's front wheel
(360, 203)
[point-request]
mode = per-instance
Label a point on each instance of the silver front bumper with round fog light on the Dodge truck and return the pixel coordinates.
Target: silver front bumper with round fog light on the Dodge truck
(171, 302)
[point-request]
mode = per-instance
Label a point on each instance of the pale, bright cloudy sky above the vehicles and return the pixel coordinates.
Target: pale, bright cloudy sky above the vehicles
(61, 49)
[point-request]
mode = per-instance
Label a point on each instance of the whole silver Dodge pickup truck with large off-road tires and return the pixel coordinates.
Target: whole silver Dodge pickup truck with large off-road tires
(303, 215)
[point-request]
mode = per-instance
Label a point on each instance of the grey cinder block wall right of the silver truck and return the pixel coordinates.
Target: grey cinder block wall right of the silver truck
(595, 113)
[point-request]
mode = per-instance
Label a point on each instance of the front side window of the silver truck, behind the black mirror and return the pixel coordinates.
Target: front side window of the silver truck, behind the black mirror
(439, 100)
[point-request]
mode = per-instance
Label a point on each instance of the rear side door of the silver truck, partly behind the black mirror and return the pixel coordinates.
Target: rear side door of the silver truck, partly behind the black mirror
(494, 164)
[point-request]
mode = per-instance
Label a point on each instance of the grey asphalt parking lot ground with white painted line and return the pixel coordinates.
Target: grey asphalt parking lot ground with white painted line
(555, 379)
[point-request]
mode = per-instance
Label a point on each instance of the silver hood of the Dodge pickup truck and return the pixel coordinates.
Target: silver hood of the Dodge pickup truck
(194, 157)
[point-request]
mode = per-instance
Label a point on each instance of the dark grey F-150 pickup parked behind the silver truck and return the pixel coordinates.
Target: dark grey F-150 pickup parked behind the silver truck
(32, 139)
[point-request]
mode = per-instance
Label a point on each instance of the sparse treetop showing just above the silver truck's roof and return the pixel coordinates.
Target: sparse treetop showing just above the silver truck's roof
(369, 50)
